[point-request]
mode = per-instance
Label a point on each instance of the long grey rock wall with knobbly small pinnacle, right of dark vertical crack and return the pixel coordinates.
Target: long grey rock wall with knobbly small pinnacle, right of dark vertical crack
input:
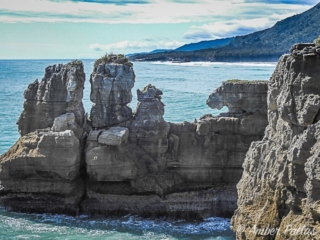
(185, 170)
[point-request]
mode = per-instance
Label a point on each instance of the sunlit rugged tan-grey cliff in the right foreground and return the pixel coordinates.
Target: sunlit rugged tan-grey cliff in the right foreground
(279, 189)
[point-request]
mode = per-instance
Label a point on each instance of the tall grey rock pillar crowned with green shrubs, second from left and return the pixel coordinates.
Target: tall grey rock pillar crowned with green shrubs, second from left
(111, 83)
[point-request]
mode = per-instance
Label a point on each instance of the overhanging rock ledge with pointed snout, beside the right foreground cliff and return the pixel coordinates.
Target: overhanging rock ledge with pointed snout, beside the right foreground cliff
(240, 96)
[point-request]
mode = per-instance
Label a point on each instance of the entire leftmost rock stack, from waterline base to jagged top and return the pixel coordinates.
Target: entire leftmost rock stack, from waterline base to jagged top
(41, 172)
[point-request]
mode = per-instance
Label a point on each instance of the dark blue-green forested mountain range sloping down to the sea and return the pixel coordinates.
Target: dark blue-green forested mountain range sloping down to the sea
(265, 45)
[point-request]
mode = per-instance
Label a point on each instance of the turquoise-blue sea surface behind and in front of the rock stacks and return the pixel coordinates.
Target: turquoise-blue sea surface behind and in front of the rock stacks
(185, 87)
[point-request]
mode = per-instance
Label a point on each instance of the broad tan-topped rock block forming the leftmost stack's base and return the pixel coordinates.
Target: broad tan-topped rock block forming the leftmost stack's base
(42, 167)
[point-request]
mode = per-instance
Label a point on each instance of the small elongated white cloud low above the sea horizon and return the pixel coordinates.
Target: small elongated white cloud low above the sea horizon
(134, 45)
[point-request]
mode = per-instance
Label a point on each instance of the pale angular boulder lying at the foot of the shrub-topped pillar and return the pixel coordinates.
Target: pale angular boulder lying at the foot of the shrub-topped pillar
(114, 136)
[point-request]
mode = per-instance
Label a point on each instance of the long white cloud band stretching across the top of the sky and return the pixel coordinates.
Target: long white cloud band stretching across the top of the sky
(157, 11)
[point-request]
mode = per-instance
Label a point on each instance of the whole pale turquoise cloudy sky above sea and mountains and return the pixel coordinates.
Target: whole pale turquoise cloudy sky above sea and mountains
(80, 29)
